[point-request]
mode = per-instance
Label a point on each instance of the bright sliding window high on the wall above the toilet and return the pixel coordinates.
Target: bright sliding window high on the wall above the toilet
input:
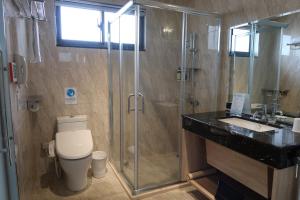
(80, 25)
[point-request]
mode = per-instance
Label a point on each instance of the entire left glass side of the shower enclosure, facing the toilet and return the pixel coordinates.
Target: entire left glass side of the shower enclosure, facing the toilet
(121, 73)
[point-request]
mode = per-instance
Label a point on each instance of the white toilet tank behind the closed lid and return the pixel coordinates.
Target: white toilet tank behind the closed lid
(71, 123)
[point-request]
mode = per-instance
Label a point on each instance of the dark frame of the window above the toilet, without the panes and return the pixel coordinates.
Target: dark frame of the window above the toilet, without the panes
(102, 44)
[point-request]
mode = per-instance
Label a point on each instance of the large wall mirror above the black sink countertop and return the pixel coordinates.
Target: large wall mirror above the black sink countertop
(265, 62)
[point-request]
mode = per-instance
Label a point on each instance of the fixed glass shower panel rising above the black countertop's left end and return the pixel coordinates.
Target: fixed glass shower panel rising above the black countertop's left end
(202, 61)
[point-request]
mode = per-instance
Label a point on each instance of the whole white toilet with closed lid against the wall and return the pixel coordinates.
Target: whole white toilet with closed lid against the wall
(74, 146)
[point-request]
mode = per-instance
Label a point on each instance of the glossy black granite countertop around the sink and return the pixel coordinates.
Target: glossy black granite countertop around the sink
(277, 148)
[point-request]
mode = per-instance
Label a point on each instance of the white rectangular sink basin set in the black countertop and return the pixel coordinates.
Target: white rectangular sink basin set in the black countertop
(248, 124)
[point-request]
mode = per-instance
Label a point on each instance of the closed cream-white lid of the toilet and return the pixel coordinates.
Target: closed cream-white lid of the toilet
(74, 144)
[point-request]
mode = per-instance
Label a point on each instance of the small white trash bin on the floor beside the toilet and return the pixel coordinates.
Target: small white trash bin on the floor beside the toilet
(99, 164)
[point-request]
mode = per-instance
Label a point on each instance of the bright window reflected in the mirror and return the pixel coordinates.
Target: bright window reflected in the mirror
(240, 42)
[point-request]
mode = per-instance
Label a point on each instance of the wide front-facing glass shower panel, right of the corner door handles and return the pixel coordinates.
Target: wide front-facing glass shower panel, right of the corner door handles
(158, 116)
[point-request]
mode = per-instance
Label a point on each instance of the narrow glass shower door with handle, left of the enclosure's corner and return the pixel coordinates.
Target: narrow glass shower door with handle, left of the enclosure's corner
(127, 98)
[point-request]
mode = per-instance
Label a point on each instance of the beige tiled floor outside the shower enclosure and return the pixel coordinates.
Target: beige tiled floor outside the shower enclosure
(107, 188)
